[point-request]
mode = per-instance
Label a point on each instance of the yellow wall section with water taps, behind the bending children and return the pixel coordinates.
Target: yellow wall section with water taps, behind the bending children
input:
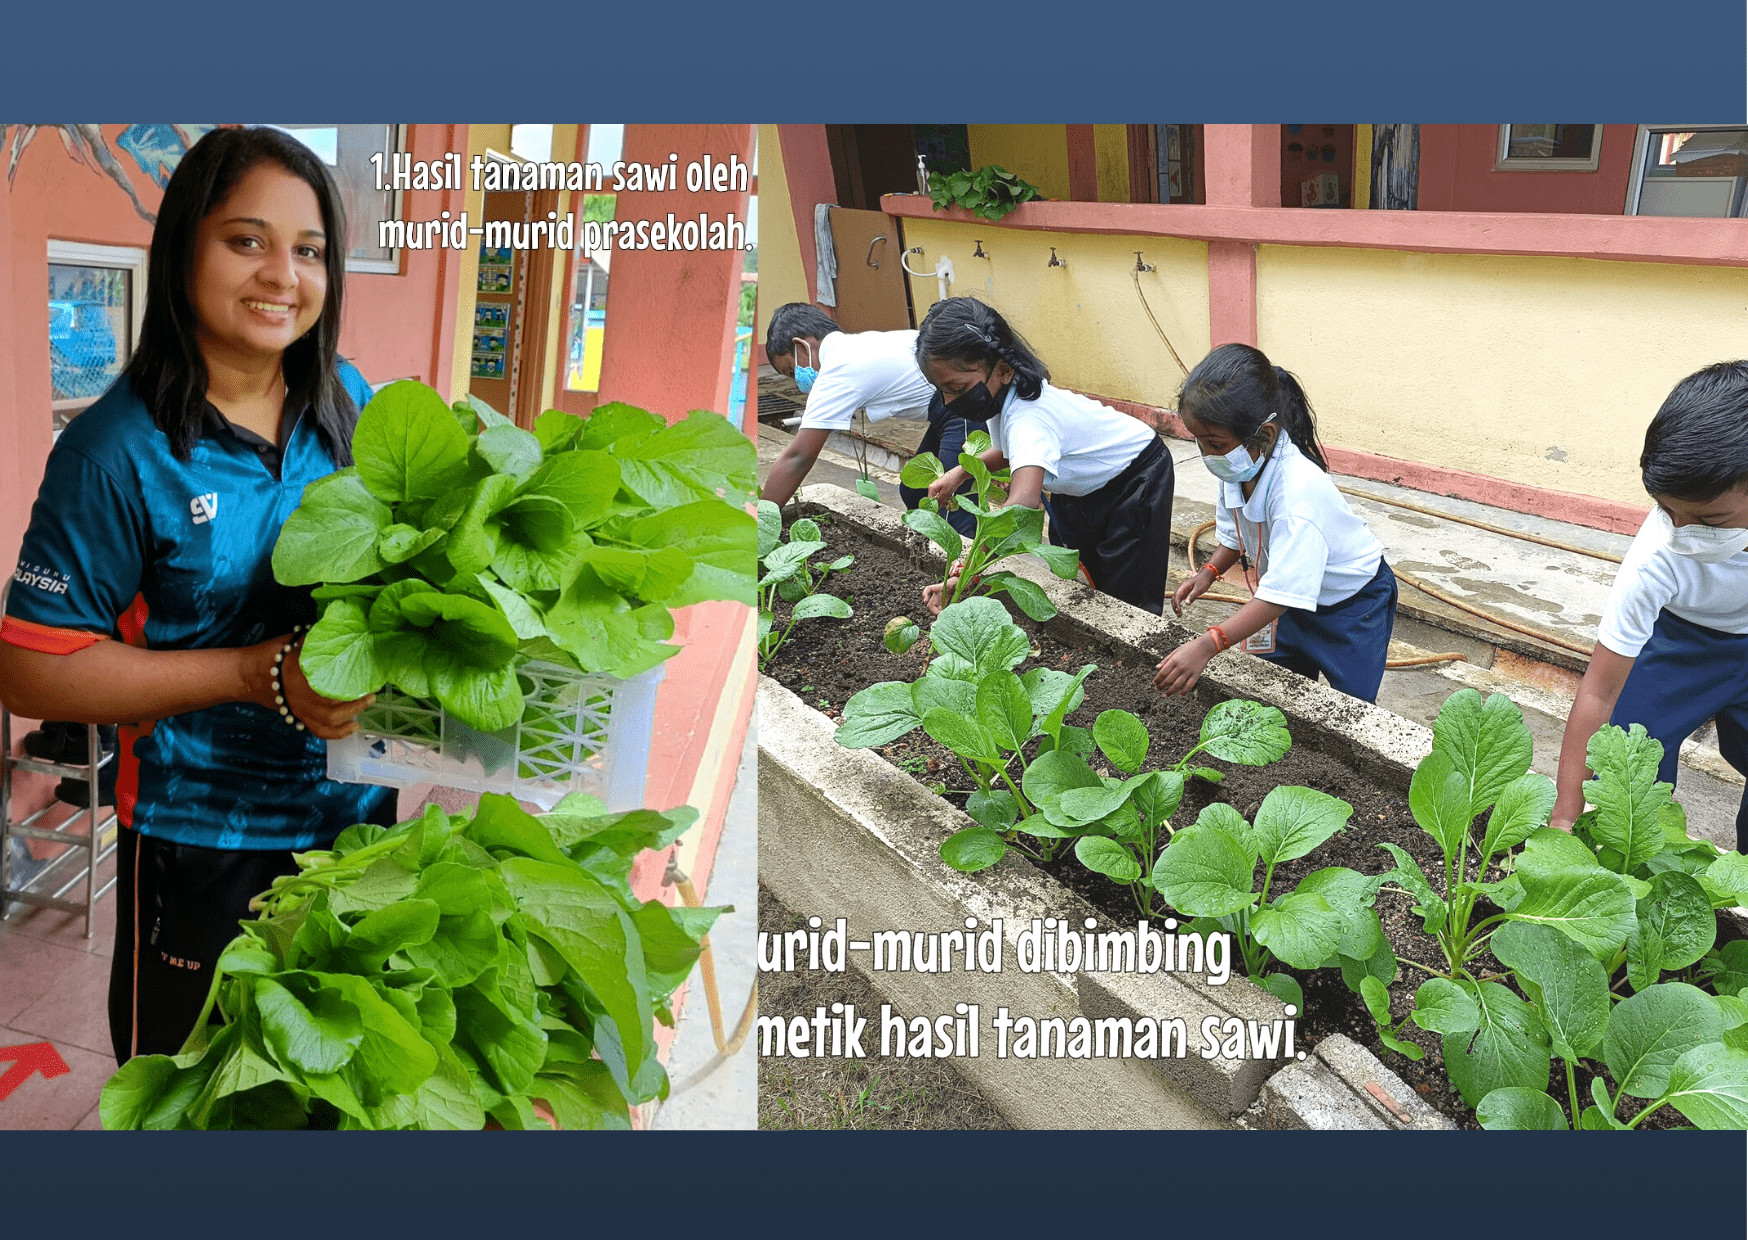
(1085, 319)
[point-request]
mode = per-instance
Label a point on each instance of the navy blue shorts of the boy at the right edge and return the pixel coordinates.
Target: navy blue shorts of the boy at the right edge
(1686, 676)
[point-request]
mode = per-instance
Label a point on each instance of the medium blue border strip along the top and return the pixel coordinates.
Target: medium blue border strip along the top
(913, 60)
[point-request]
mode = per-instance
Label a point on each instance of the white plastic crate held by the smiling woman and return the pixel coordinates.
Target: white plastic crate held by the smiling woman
(581, 734)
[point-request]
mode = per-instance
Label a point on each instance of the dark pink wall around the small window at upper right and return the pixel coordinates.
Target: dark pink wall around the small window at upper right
(1457, 176)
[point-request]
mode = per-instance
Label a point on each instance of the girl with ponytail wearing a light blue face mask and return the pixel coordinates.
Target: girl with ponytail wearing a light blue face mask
(1322, 596)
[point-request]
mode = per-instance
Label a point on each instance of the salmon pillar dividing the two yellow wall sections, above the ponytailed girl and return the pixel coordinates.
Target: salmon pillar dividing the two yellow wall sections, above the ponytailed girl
(1242, 169)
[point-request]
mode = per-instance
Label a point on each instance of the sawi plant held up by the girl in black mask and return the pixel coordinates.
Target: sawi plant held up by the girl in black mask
(1002, 531)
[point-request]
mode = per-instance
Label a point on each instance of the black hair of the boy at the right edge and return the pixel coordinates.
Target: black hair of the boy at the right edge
(1696, 447)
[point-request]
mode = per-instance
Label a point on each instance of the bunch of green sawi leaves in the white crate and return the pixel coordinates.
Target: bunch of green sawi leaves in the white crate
(459, 547)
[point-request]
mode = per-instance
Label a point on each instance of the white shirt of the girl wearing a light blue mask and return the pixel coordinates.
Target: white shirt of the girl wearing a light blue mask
(1315, 550)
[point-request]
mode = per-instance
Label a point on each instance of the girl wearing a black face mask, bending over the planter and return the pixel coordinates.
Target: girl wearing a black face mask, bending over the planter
(1109, 475)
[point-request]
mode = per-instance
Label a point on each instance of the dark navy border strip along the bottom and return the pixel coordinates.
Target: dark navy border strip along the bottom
(1224, 1183)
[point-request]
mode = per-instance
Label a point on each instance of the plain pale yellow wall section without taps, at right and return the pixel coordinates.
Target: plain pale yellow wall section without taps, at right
(1541, 372)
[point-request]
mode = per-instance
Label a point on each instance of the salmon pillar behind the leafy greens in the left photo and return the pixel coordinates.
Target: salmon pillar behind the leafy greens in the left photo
(670, 349)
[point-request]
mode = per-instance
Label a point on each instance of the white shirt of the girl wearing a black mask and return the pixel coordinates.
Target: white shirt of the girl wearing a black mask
(1079, 443)
